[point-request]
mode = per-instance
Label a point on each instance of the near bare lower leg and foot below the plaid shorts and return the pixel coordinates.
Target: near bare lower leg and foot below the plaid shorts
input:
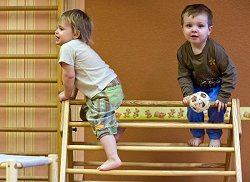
(113, 161)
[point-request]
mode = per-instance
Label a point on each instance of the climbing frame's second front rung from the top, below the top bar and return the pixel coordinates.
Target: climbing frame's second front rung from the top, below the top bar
(161, 124)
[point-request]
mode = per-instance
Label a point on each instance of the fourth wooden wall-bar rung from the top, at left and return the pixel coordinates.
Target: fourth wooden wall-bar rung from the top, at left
(27, 80)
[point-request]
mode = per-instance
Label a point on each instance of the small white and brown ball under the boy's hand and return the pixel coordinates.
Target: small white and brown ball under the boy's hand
(199, 101)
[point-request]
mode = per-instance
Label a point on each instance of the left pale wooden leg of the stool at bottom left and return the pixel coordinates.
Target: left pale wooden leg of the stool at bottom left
(11, 171)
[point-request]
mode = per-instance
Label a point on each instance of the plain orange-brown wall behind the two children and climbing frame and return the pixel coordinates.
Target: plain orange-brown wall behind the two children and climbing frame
(139, 39)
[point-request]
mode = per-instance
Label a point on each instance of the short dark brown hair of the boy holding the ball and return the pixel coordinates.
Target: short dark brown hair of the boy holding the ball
(195, 9)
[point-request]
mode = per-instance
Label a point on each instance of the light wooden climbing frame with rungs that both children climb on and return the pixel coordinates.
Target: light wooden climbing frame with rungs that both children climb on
(231, 148)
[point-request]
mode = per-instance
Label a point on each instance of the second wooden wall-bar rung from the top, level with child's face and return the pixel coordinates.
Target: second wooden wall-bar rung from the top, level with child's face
(27, 32)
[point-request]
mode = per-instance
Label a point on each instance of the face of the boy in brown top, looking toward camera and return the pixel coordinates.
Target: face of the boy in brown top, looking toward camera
(196, 29)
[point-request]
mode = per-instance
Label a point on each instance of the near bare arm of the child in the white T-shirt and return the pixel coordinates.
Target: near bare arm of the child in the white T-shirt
(68, 79)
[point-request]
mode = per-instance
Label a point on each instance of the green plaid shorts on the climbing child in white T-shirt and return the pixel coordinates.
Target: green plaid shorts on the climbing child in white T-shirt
(99, 111)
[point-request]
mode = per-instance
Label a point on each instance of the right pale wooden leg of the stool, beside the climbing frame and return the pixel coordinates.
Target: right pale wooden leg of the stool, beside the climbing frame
(53, 168)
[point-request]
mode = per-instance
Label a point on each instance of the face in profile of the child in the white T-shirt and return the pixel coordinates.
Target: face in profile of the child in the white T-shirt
(64, 33)
